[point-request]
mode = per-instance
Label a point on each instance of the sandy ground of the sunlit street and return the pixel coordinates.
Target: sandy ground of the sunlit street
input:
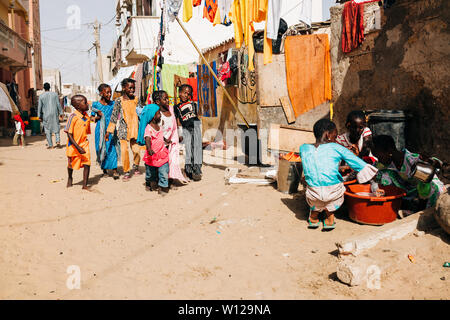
(132, 244)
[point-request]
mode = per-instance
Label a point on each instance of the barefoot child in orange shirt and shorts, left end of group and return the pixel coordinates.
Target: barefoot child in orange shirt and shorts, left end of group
(77, 128)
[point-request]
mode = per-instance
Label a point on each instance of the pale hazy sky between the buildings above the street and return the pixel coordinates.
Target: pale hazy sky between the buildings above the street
(66, 49)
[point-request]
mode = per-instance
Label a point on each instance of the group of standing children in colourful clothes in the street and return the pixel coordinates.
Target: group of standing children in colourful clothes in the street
(159, 127)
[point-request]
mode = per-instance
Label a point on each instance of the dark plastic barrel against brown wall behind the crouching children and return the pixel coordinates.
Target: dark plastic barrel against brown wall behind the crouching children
(389, 122)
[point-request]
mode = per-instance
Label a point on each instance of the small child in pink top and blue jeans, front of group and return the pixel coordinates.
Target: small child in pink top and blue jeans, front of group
(156, 157)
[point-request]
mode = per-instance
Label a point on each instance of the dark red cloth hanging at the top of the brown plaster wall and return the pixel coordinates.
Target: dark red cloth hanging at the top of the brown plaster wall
(352, 26)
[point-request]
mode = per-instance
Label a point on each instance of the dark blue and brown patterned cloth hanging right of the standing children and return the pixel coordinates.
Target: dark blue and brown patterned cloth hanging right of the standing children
(207, 103)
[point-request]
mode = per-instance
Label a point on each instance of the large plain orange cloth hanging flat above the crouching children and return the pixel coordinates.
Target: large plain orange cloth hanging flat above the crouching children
(308, 75)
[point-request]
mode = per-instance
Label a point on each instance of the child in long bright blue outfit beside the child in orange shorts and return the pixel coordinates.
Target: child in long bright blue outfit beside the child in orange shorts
(107, 151)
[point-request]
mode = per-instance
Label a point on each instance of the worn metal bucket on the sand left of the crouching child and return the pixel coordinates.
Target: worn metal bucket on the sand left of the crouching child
(288, 178)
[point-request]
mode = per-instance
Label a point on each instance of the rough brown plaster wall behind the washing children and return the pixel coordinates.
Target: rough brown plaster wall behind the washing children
(403, 66)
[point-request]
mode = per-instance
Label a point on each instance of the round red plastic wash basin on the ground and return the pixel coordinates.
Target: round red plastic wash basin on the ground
(373, 210)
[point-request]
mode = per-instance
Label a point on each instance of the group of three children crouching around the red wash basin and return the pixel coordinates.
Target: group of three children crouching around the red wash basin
(374, 159)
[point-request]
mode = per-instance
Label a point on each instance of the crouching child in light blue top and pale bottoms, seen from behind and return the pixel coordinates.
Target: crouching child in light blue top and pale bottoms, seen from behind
(325, 188)
